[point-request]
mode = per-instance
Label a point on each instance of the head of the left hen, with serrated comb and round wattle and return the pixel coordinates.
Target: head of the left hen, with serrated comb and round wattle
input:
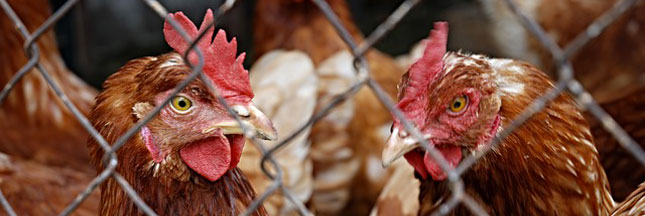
(194, 130)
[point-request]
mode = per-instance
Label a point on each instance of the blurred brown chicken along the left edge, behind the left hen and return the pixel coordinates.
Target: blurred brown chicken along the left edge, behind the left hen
(44, 163)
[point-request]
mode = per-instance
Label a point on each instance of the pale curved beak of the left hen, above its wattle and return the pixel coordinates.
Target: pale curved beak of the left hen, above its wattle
(252, 118)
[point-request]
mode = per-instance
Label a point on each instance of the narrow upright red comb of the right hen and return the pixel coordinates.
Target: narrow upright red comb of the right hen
(422, 73)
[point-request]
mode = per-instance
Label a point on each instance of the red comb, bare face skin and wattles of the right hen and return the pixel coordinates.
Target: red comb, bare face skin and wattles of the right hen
(445, 128)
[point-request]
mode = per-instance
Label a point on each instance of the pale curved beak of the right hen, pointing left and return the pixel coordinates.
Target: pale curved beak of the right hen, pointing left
(397, 146)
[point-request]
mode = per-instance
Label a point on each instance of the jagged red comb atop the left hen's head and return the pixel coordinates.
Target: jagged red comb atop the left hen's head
(220, 65)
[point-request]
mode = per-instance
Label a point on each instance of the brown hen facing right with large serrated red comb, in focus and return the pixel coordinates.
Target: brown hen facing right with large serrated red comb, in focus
(184, 161)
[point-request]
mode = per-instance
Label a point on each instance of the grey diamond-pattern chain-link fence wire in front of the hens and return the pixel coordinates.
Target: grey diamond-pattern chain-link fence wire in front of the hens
(561, 57)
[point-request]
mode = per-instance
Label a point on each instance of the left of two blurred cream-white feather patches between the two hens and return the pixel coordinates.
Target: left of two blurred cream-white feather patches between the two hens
(285, 87)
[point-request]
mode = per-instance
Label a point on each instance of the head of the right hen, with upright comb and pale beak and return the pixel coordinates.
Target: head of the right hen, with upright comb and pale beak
(453, 99)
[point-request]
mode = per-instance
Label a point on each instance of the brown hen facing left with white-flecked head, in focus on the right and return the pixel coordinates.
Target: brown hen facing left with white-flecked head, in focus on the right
(459, 102)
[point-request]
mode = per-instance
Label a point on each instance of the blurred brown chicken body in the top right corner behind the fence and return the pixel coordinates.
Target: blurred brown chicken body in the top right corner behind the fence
(615, 71)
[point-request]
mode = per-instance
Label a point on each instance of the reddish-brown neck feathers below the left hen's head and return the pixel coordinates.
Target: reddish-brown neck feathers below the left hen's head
(229, 195)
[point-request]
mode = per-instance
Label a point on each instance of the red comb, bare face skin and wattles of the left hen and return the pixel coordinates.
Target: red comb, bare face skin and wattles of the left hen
(213, 154)
